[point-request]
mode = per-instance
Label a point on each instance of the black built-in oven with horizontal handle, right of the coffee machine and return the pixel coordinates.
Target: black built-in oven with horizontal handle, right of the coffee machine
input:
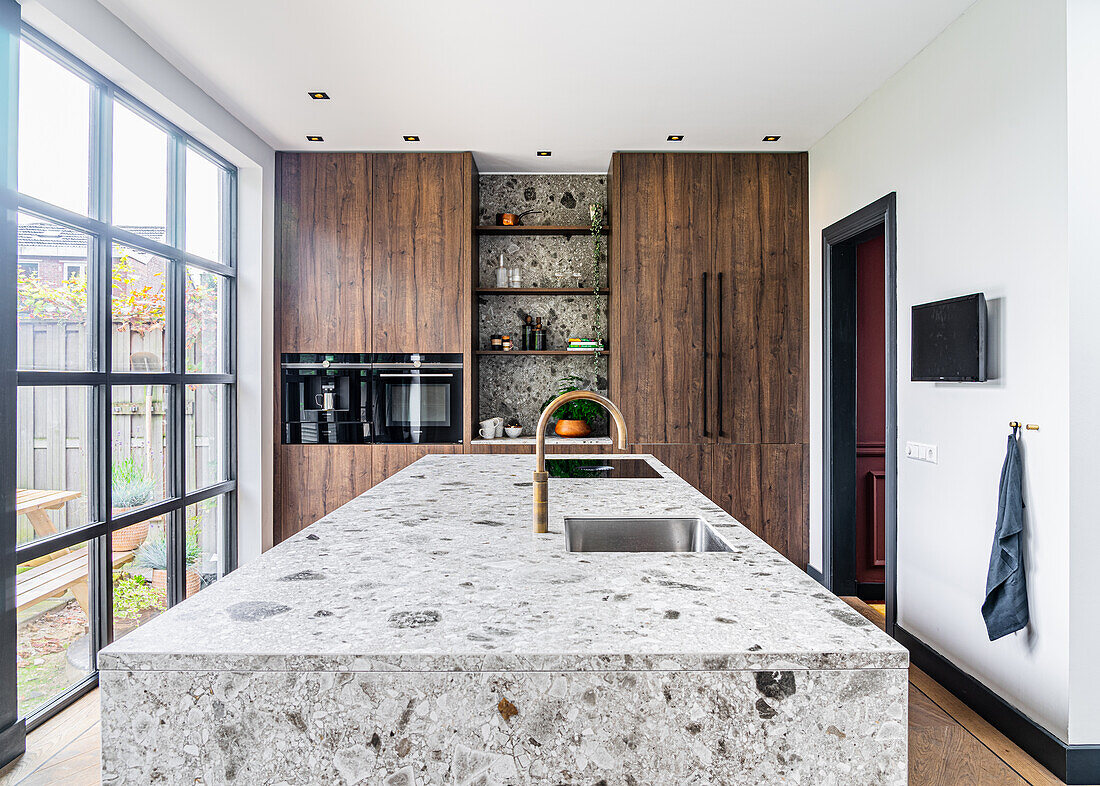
(417, 398)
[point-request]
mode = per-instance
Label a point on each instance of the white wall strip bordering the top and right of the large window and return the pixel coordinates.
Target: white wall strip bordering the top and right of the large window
(104, 42)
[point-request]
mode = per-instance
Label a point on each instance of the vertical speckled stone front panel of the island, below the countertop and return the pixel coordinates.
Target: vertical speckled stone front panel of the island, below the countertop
(620, 728)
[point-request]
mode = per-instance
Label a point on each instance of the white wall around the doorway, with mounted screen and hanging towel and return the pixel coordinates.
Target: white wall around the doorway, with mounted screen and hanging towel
(973, 137)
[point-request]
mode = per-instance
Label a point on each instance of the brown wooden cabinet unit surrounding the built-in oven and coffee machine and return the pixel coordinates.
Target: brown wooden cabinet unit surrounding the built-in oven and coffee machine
(373, 253)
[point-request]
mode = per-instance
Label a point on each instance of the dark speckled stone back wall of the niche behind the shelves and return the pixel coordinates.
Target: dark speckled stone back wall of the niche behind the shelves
(518, 385)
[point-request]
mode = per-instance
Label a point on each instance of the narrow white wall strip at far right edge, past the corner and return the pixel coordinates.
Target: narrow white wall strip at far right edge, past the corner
(1084, 113)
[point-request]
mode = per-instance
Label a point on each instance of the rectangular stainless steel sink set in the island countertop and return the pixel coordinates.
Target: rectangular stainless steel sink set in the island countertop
(640, 535)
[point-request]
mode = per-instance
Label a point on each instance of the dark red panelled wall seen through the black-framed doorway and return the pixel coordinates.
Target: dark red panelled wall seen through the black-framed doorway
(871, 411)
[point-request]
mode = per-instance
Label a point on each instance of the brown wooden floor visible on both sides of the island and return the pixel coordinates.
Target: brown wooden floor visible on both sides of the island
(949, 745)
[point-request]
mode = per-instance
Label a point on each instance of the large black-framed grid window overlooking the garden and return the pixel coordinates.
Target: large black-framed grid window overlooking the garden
(125, 447)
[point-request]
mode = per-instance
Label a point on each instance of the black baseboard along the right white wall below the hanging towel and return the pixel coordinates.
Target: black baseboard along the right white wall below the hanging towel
(1074, 765)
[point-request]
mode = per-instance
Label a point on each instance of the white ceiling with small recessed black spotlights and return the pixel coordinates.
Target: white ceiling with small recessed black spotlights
(504, 80)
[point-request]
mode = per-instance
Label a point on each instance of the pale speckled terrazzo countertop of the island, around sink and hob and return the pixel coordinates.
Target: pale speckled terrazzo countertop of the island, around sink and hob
(437, 570)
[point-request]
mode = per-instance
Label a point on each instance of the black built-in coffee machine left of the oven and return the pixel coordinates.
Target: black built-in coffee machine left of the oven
(327, 398)
